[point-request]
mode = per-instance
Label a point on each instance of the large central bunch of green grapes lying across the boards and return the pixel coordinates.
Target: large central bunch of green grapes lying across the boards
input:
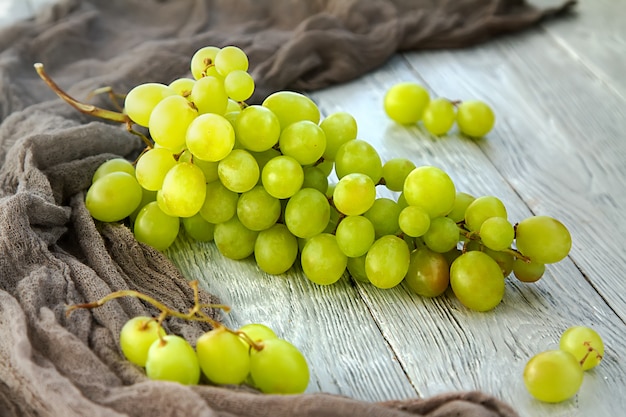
(256, 180)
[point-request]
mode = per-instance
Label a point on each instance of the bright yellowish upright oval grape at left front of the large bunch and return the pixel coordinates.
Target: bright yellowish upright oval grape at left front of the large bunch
(183, 190)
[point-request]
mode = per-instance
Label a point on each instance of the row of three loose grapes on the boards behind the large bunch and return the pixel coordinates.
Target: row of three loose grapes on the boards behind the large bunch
(408, 103)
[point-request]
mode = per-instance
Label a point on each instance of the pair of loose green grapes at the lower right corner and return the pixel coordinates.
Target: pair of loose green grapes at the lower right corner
(556, 375)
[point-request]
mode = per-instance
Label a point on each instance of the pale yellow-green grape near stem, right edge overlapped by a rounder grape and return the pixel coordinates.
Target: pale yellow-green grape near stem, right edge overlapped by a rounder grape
(169, 121)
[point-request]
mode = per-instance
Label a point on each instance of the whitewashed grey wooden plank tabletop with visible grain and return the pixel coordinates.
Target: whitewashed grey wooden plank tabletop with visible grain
(558, 149)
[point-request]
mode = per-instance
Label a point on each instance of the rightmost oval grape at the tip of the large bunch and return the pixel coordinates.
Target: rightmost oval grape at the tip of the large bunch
(543, 239)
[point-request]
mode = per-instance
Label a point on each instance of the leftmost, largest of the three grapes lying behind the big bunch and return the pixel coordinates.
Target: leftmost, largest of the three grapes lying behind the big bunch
(405, 102)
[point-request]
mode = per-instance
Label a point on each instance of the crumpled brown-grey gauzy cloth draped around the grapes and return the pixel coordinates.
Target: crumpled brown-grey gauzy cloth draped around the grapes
(52, 253)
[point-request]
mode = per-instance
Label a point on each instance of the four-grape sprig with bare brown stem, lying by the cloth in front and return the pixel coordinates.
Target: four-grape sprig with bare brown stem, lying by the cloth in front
(253, 355)
